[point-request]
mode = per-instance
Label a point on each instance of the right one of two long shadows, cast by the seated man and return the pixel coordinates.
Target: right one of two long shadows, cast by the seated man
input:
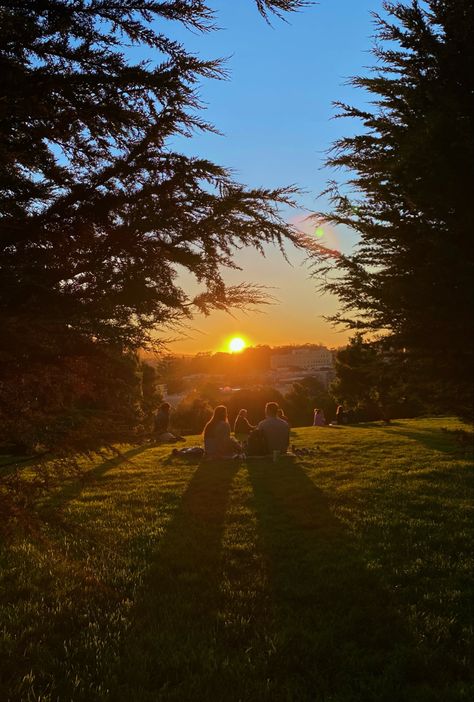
(337, 635)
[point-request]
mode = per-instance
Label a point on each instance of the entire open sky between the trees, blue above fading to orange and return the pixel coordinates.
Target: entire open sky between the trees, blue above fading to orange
(276, 114)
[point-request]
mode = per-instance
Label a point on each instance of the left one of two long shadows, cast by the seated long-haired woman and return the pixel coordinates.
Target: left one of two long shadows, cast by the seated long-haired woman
(172, 640)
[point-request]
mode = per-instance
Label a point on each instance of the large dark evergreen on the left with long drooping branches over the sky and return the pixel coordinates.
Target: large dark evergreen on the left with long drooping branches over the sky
(97, 211)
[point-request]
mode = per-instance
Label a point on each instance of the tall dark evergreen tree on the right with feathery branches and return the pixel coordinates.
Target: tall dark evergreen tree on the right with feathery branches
(410, 198)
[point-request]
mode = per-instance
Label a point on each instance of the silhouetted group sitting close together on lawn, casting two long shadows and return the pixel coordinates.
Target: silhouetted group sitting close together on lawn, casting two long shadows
(271, 435)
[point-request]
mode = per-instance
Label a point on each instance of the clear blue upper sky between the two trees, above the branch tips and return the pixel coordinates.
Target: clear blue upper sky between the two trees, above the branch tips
(275, 111)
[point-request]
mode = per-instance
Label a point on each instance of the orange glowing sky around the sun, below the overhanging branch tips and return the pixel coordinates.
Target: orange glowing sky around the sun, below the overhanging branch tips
(296, 317)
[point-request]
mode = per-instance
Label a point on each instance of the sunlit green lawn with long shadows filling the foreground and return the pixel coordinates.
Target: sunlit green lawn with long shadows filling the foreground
(341, 577)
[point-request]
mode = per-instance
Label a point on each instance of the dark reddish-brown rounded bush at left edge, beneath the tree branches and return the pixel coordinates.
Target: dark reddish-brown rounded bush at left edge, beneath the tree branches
(72, 398)
